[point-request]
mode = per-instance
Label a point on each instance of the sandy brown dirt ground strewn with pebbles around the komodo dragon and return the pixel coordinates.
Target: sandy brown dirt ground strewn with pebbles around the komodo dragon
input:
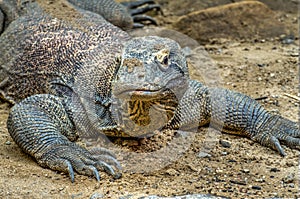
(265, 68)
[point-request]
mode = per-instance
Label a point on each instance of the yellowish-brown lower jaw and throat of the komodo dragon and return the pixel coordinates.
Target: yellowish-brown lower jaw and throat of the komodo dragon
(145, 111)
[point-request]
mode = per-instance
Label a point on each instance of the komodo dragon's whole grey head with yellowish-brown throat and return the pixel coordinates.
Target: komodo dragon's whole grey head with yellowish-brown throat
(149, 84)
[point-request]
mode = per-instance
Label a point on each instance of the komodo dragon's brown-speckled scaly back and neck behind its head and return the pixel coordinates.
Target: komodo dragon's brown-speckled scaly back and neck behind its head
(40, 50)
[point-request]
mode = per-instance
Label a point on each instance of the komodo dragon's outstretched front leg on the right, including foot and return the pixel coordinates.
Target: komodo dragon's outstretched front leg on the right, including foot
(235, 113)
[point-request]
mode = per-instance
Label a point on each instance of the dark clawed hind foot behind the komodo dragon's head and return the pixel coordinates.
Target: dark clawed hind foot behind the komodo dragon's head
(137, 8)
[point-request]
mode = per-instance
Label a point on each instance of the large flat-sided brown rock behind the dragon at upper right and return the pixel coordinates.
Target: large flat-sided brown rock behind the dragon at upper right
(244, 20)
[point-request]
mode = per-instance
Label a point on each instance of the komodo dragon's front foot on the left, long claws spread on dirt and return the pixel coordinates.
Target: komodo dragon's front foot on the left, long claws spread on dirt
(71, 157)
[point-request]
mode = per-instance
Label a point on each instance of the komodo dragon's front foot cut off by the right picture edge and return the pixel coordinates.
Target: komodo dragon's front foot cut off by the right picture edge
(279, 130)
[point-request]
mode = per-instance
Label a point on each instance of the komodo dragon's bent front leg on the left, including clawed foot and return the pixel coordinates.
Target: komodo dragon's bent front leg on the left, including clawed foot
(42, 128)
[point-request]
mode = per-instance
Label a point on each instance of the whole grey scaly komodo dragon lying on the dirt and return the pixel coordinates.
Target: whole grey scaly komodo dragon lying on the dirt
(71, 75)
